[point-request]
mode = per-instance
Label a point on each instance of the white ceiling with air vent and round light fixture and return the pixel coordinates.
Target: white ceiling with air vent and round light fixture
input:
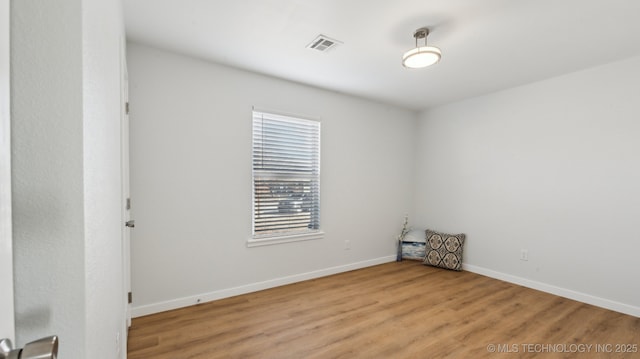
(487, 45)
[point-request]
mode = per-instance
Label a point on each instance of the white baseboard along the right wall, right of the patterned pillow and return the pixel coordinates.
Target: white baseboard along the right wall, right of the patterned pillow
(563, 292)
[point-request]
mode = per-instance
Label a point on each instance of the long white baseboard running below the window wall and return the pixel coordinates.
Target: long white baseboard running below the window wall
(253, 287)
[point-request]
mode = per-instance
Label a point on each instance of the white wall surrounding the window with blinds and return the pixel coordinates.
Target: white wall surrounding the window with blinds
(191, 180)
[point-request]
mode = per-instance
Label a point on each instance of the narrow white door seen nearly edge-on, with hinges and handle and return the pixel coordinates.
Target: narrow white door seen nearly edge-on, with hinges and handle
(126, 196)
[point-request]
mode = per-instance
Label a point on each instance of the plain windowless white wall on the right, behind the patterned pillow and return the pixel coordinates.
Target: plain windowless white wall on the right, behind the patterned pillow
(552, 167)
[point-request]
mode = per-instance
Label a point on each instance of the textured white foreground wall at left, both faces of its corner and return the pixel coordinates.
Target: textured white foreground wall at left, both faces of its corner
(66, 174)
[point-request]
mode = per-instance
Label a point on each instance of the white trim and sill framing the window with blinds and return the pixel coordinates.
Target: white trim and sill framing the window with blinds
(257, 240)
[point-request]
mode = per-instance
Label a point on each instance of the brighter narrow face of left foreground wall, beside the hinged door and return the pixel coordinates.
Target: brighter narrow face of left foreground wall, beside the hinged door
(102, 43)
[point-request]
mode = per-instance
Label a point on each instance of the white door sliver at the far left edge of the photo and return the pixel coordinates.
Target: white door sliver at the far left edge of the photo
(7, 329)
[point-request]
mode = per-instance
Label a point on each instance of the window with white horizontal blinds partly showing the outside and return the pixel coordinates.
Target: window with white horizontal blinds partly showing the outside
(286, 178)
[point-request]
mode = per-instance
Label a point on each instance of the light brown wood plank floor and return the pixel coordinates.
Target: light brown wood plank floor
(394, 310)
